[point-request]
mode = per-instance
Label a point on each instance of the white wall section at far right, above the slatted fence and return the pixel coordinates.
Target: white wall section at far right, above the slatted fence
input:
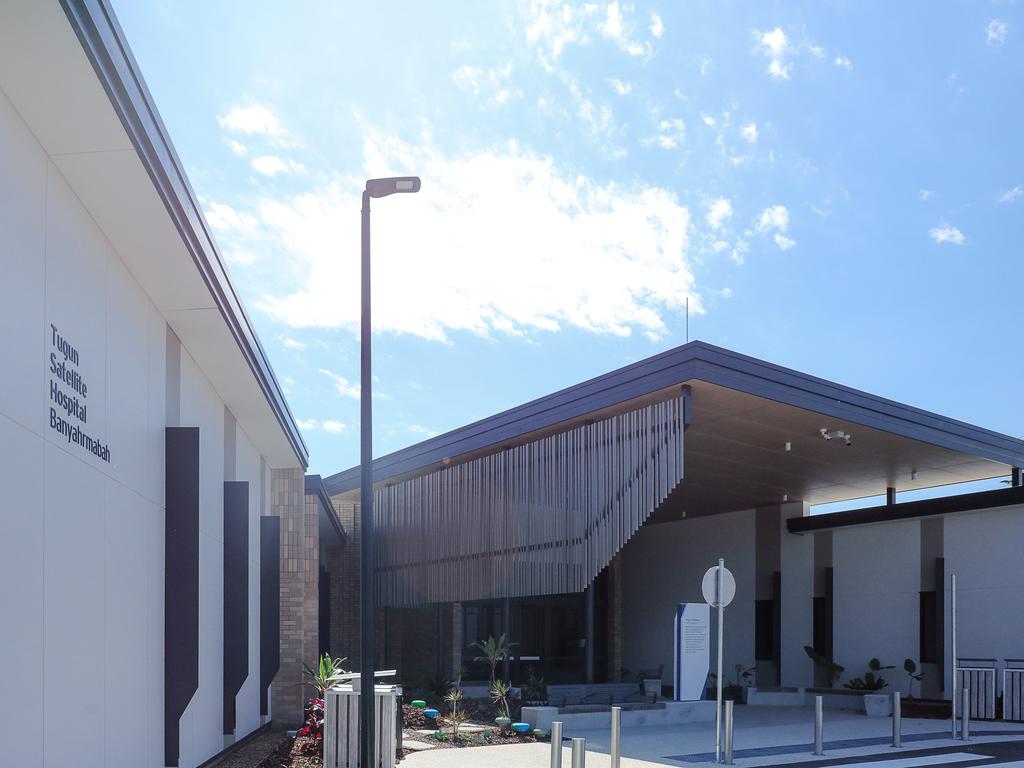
(984, 549)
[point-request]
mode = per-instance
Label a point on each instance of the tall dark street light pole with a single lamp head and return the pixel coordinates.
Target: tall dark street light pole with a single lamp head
(380, 188)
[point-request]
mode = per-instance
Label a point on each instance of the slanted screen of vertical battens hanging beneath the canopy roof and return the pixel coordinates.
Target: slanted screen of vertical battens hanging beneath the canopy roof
(540, 519)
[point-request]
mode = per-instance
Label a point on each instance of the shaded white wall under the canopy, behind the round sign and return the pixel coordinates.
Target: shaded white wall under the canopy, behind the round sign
(664, 565)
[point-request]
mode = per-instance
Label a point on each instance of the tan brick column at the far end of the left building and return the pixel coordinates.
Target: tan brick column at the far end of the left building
(288, 503)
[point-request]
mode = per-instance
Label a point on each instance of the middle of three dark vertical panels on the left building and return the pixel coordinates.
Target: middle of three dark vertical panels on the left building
(236, 595)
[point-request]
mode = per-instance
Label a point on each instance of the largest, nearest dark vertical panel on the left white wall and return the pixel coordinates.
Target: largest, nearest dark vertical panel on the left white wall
(181, 581)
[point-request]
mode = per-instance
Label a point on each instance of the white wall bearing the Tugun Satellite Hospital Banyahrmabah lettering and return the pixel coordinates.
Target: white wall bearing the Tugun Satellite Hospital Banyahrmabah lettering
(82, 540)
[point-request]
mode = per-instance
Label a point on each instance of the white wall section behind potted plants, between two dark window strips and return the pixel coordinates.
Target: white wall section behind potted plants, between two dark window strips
(877, 598)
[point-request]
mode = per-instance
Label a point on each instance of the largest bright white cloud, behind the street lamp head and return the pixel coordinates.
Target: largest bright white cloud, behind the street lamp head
(606, 259)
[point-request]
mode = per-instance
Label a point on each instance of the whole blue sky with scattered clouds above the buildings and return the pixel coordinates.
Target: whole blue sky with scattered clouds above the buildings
(837, 187)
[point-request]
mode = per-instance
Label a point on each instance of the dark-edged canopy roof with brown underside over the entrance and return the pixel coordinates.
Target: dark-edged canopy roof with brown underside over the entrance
(743, 415)
